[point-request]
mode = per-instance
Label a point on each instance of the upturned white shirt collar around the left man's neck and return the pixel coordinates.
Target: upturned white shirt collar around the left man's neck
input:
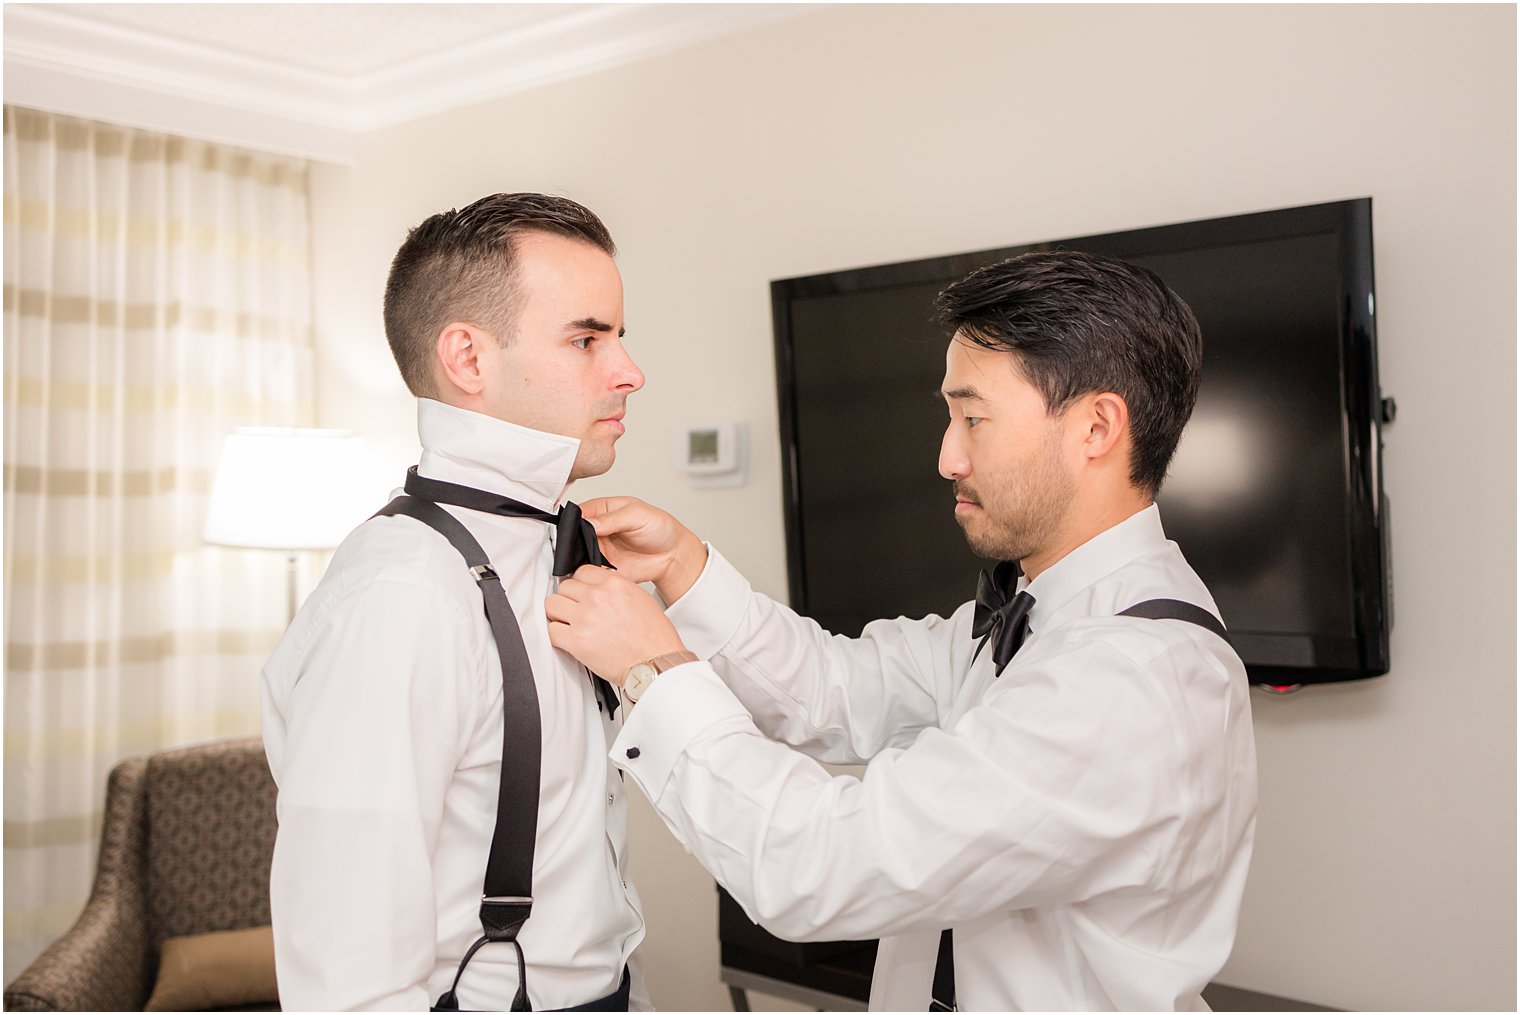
(477, 451)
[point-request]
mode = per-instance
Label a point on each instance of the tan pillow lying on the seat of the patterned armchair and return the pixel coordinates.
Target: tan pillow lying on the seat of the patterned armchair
(226, 969)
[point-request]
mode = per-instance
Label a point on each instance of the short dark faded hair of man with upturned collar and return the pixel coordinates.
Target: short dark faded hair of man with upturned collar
(460, 267)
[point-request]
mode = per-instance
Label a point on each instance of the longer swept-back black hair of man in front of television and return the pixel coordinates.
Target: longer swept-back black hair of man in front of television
(1083, 323)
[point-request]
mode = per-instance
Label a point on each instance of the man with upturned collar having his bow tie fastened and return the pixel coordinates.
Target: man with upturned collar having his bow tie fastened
(452, 833)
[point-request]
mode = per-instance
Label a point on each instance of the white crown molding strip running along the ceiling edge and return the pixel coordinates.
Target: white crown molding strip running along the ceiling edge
(78, 66)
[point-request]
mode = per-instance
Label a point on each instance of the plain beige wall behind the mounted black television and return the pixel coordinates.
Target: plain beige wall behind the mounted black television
(1385, 868)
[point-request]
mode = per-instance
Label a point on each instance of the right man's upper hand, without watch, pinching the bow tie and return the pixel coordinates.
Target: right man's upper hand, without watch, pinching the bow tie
(647, 545)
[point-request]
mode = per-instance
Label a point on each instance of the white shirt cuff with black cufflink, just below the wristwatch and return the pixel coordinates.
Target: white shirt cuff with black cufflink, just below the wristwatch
(682, 704)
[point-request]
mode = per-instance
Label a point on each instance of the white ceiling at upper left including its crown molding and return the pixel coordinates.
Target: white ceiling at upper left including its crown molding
(309, 78)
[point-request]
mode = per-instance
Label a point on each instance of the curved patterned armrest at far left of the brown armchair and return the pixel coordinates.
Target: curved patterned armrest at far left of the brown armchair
(106, 963)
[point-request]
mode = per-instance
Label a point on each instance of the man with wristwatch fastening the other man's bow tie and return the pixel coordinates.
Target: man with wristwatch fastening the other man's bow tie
(1060, 791)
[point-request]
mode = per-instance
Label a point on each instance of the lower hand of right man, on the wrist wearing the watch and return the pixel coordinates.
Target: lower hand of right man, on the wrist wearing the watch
(607, 622)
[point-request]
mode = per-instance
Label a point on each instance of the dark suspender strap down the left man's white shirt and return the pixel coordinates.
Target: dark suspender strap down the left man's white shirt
(508, 899)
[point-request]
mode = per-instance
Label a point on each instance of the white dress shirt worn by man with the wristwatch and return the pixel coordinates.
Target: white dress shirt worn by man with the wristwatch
(1085, 821)
